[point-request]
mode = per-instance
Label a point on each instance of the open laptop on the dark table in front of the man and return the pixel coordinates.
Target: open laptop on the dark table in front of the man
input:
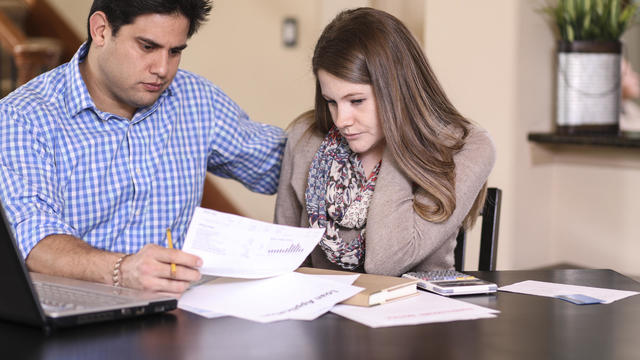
(53, 302)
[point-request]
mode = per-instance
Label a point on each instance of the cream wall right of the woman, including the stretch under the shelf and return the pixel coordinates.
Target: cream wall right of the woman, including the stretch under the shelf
(561, 204)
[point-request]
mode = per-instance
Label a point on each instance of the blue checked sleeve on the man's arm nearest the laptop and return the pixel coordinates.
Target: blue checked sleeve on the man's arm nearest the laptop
(28, 182)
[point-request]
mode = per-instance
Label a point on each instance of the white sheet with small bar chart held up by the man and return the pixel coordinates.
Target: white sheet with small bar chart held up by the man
(235, 246)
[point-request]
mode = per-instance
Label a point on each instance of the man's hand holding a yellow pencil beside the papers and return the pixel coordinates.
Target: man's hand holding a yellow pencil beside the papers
(150, 269)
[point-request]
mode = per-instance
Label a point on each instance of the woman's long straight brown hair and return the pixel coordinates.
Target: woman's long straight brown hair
(422, 129)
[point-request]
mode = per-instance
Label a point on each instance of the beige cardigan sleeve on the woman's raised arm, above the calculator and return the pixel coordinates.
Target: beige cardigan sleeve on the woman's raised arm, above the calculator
(398, 239)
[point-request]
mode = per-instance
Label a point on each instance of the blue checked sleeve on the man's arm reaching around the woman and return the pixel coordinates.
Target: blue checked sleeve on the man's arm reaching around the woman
(244, 150)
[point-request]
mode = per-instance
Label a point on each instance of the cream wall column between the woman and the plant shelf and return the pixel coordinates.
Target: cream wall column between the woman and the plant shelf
(494, 60)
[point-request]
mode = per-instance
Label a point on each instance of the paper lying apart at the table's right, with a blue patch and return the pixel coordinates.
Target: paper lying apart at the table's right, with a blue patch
(541, 288)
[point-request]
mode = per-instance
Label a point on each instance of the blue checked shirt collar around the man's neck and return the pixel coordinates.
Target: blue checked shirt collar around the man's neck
(78, 98)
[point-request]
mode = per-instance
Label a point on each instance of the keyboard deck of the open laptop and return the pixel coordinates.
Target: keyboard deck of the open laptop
(53, 297)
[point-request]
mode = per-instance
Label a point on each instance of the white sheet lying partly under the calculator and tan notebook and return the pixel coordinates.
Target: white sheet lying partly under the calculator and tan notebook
(421, 309)
